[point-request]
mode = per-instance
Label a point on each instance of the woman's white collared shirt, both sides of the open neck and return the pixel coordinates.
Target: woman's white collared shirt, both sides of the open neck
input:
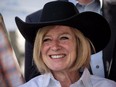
(86, 80)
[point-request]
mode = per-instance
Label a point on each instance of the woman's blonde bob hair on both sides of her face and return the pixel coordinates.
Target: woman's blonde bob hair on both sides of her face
(83, 50)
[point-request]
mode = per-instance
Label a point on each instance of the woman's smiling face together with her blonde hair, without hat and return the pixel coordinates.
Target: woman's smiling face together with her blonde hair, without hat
(57, 46)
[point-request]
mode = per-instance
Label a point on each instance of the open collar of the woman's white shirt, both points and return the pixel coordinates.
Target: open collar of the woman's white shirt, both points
(85, 80)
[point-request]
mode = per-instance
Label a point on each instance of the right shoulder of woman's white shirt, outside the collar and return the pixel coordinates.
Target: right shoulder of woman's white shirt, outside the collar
(102, 82)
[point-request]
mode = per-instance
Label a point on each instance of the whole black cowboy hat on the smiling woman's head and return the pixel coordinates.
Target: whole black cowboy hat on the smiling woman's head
(91, 24)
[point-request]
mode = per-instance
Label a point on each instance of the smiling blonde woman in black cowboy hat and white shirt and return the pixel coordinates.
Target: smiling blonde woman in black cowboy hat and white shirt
(63, 40)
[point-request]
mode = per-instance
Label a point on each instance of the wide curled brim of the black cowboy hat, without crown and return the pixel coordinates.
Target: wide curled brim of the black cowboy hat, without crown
(91, 24)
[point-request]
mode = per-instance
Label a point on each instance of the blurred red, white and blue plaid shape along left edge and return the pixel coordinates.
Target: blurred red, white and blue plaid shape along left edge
(10, 72)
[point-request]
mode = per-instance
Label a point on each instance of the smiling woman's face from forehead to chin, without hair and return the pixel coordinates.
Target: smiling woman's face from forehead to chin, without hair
(59, 48)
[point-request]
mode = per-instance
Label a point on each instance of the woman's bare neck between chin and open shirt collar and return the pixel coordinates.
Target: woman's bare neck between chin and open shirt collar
(66, 78)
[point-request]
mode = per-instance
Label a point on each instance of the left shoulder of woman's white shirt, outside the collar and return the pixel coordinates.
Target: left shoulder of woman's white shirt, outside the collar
(38, 81)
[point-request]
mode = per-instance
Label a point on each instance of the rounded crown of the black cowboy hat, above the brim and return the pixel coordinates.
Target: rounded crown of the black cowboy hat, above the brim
(58, 10)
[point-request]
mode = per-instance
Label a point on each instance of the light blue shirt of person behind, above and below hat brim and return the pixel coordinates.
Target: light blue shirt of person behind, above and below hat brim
(96, 63)
